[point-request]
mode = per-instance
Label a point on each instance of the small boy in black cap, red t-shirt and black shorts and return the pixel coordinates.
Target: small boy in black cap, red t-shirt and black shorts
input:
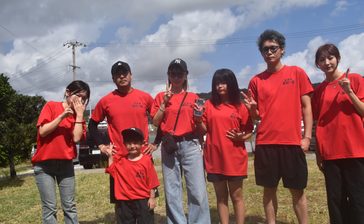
(135, 180)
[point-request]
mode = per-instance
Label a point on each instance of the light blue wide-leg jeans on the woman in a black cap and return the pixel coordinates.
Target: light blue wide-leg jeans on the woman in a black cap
(188, 160)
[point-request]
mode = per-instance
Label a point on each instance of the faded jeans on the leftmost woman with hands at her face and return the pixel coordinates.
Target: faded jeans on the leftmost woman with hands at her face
(47, 175)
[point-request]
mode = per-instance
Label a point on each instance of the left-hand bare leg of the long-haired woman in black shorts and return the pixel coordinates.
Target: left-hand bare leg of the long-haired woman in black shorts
(222, 195)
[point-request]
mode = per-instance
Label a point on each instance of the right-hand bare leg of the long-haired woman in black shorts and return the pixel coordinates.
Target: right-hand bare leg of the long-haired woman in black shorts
(236, 195)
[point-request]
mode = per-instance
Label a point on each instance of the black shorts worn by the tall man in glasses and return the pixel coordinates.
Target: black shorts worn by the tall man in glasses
(273, 162)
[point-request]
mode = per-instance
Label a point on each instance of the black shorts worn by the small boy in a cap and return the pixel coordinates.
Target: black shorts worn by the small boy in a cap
(134, 211)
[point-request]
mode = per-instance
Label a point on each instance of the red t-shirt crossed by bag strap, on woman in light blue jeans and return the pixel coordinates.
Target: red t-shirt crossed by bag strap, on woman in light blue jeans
(185, 121)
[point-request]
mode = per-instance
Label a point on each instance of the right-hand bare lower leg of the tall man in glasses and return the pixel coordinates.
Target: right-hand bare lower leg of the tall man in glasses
(299, 203)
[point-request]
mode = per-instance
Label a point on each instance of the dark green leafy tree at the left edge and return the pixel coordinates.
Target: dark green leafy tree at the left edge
(18, 124)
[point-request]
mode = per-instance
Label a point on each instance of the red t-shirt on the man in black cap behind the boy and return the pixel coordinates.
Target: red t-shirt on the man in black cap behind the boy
(123, 111)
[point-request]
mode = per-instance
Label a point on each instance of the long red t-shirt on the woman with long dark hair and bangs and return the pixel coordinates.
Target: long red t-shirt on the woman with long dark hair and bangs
(221, 155)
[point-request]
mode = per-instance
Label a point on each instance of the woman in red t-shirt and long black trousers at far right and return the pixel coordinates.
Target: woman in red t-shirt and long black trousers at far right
(338, 109)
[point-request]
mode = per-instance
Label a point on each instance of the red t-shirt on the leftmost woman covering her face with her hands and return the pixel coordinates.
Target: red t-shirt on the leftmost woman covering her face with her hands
(58, 144)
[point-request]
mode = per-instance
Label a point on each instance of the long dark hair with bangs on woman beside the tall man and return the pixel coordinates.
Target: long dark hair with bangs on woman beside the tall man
(227, 76)
